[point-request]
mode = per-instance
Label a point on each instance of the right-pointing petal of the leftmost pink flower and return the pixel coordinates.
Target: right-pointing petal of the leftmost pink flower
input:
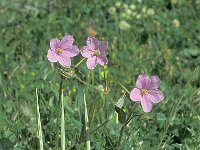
(70, 51)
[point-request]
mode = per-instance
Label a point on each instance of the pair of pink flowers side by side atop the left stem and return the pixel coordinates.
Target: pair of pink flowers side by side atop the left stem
(63, 50)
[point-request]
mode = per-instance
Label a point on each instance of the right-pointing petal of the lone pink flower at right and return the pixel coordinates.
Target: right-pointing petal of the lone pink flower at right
(155, 96)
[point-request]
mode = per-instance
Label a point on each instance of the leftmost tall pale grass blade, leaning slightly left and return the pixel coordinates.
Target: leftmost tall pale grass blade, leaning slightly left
(40, 136)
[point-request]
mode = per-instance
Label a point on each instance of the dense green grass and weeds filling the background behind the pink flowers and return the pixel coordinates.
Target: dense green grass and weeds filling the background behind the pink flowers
(164, 41)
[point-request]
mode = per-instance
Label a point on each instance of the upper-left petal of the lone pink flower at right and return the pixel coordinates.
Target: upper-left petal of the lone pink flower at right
(143, 82)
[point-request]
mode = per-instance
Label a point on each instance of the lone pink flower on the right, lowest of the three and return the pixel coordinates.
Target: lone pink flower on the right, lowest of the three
(147, 91)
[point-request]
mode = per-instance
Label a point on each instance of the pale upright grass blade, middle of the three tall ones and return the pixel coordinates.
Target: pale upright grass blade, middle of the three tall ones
(62, 123)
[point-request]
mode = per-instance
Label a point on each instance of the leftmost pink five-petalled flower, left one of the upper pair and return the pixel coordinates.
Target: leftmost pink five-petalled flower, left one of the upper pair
(62, 51)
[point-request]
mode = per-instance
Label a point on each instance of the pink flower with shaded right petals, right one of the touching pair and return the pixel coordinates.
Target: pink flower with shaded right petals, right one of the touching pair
(95, 52)
